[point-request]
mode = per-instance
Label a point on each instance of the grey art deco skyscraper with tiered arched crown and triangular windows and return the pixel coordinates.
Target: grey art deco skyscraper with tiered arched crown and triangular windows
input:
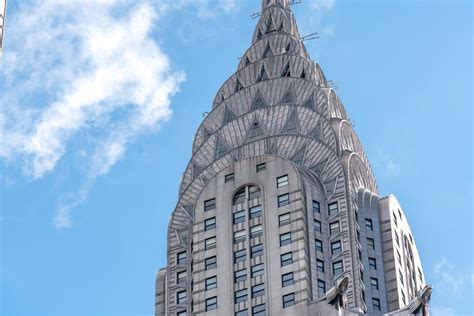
(279, 211)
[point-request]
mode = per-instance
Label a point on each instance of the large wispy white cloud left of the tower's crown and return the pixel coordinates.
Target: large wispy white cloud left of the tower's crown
(81, 70)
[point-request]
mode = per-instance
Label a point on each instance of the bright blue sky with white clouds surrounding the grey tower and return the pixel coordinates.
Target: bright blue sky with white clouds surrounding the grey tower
(100, 102)
